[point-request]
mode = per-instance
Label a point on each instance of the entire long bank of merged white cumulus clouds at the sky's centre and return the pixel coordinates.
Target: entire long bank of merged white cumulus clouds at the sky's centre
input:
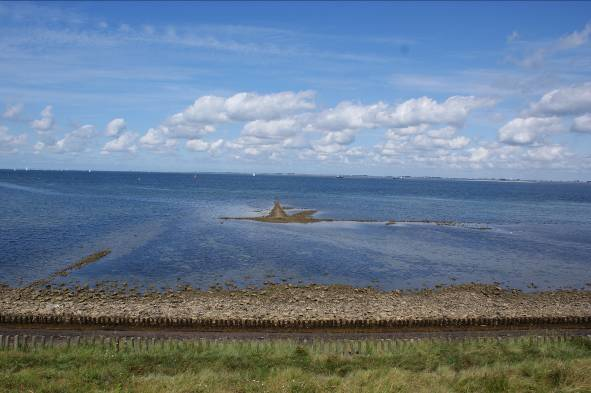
(274, 123)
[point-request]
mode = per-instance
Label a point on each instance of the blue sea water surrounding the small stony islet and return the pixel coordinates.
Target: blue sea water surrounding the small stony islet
(165, 230)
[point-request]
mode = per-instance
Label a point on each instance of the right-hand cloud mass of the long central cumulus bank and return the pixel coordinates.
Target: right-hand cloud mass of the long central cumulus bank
(414, 117)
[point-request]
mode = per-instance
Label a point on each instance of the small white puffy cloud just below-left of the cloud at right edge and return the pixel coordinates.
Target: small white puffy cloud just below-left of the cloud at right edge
(525, 131)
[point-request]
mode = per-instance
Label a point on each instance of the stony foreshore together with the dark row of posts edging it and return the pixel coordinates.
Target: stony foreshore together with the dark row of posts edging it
(287, 306)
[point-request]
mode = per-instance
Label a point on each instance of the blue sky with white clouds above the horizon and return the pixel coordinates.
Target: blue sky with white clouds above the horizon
(454, 89)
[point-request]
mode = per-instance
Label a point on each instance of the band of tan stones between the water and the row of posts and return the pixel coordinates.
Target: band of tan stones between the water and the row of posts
(285, 302)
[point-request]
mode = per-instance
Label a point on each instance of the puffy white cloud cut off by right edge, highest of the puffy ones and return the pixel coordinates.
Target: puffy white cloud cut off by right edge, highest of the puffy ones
(565, 101)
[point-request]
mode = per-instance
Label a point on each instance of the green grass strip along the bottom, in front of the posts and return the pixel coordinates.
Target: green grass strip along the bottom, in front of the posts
(508, 366)
